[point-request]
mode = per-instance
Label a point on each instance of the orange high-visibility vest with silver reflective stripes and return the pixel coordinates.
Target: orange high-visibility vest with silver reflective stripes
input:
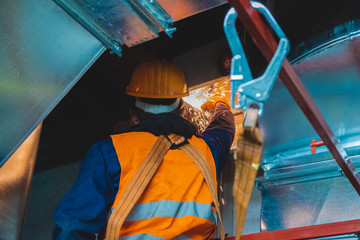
(177, 203)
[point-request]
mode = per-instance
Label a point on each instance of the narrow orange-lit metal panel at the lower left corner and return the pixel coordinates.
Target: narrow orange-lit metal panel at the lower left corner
(15, 181)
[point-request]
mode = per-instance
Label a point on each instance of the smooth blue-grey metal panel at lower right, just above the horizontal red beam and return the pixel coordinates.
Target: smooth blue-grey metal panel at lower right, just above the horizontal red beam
(308, 203)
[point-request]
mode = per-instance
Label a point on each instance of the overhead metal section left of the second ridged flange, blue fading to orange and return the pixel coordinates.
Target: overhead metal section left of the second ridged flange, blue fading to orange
(114, 22)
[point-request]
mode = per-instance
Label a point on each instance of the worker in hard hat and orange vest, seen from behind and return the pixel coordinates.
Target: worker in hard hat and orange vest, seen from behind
(177, 202)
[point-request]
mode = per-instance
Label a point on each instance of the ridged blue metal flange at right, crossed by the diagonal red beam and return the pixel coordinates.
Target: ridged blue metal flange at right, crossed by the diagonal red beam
(298, 164)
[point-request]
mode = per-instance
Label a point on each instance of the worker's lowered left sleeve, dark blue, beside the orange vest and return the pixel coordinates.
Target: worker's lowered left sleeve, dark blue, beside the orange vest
(83, 211)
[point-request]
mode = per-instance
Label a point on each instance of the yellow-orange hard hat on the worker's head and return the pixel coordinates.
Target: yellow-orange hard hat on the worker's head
(157, 79)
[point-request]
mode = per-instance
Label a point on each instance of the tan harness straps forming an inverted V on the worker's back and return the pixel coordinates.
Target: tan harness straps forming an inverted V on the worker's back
(144, 175)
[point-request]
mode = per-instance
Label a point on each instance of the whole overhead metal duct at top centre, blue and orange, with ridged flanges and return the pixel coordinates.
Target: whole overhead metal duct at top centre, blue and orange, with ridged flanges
(131, 22)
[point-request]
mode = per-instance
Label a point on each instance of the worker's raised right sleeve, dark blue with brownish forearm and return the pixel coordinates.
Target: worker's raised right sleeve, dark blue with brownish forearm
(219, 135)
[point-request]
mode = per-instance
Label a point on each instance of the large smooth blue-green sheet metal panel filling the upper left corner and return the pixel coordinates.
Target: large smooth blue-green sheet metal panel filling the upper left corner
(43, 52)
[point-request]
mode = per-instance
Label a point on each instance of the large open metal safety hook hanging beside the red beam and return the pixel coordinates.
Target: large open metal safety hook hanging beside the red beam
(244, 89)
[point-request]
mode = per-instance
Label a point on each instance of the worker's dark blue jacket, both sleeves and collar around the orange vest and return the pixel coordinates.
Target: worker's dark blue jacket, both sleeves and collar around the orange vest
(83, 212)
